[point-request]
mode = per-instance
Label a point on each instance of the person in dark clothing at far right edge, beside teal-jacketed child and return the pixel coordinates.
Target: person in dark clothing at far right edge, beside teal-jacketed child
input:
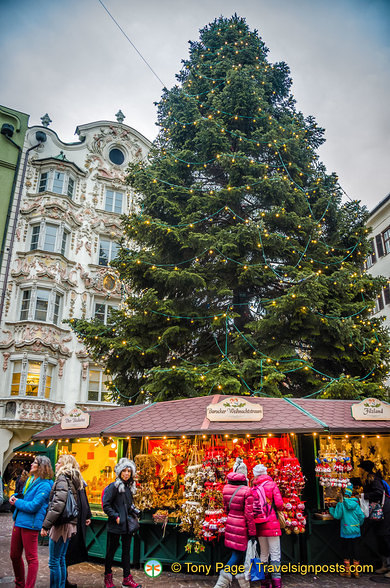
(374, 491)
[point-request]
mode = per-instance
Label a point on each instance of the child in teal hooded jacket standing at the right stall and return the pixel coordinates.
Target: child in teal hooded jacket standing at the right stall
(351, 517)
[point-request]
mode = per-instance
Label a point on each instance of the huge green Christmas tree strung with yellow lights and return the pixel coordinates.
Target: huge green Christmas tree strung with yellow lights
(242, 271)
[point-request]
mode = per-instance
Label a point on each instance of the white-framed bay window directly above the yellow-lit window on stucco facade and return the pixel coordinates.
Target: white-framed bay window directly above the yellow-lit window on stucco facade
(28, 307)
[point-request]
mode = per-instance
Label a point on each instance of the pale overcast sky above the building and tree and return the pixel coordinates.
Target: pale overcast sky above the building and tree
(67, 58)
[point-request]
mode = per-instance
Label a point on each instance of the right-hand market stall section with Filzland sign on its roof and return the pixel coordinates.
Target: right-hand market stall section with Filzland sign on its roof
(355, 431)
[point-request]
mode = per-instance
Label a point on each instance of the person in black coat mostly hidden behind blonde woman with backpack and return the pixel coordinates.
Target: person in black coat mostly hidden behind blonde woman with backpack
(77, 551)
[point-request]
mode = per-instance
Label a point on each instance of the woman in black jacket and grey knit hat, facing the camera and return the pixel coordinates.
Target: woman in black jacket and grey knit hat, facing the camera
(122, 523)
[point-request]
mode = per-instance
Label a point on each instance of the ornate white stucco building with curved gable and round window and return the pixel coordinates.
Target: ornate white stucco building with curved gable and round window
(67, 222)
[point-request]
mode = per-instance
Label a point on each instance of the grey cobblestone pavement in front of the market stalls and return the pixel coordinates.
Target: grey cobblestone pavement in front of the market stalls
(90, 574)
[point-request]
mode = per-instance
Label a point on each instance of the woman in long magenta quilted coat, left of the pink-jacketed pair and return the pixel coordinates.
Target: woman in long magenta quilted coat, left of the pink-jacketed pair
(240, 524)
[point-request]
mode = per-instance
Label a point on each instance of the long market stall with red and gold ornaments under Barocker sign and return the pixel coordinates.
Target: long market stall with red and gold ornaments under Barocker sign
(183, 451)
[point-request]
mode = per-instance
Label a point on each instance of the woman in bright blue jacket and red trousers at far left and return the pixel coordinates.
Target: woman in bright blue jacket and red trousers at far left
(28, 517)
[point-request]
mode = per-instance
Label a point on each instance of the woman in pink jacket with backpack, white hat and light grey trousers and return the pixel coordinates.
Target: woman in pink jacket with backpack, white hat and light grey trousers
(269, 531)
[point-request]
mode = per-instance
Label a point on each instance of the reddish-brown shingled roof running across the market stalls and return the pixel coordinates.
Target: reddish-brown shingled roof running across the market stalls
(188, 416)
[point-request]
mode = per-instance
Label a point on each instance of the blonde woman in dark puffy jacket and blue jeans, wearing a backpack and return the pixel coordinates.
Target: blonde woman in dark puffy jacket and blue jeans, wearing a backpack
(59, 526)
